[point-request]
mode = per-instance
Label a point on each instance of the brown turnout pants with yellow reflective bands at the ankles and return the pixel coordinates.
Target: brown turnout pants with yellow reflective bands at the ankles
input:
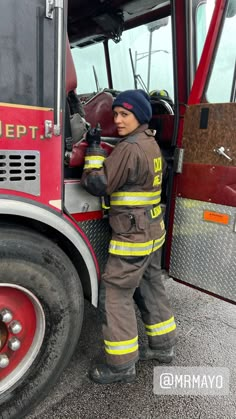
(127, 279)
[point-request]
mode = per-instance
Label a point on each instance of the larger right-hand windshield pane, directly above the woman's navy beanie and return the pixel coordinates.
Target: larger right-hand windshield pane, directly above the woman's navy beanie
(145, 54)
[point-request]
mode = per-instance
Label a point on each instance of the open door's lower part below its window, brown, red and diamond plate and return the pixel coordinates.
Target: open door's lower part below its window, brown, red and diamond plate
(203, 251)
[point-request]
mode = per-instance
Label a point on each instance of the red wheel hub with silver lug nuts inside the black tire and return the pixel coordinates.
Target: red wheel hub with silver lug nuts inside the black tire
(22, 327)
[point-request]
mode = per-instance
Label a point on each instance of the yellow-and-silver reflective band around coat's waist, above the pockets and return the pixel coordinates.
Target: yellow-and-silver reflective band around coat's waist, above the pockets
(135, 198)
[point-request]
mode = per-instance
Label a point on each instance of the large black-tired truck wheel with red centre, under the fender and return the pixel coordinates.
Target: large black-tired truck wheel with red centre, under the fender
(31, 263)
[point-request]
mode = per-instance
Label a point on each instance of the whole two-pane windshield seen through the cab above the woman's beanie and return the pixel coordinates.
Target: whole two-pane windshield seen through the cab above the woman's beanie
(142, 59)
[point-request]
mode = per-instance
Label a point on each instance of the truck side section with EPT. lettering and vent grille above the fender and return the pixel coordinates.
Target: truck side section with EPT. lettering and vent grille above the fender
(31, 82)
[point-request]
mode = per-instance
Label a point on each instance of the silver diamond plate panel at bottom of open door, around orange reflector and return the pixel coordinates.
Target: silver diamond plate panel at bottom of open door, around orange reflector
(204, 253)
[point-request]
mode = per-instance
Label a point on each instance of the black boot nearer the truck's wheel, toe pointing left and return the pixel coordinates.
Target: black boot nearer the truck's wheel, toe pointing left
(103, 374)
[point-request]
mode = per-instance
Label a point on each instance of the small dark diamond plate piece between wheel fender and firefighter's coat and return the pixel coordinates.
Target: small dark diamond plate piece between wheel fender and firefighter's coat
(98, 233)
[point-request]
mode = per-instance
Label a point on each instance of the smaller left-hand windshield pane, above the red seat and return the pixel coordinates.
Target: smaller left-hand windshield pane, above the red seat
(90, 68)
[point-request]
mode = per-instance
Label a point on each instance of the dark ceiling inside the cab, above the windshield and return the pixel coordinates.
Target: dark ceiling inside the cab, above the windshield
(93, 21)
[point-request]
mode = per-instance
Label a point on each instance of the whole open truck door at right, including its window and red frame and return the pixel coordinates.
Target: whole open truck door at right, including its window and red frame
(203, 247)
